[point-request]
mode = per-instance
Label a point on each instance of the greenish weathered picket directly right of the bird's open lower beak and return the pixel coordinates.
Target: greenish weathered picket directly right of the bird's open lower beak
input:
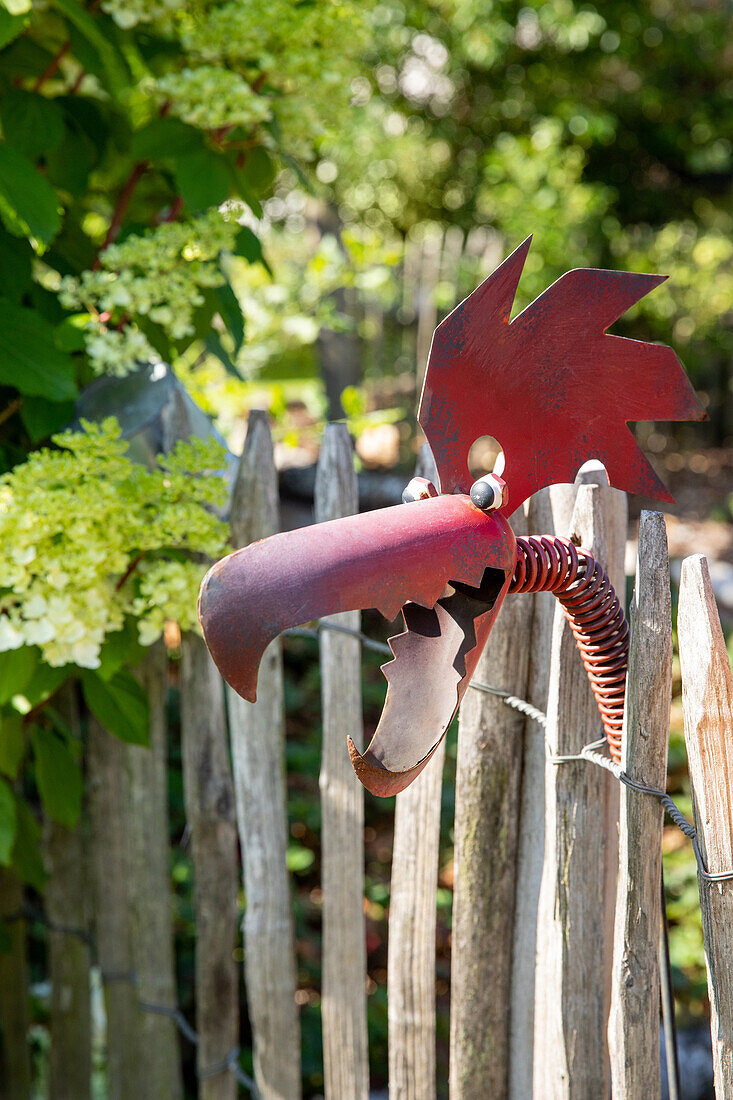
(489, 771)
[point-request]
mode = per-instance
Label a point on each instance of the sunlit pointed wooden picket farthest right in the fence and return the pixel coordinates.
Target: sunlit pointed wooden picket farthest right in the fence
(708, 710)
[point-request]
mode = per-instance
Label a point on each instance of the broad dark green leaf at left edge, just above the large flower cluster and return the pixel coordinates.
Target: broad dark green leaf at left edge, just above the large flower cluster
(29, 358)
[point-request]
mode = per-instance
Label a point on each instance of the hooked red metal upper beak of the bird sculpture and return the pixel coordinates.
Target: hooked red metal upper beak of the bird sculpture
(380, 559)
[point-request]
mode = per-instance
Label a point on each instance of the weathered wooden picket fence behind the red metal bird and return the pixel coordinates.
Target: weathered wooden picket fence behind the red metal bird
(556, 916)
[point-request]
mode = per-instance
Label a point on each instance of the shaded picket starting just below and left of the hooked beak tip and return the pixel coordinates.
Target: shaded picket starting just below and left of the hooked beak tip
(210, 798)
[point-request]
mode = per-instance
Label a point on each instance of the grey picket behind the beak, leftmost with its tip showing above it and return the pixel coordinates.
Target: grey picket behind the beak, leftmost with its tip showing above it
(258, 742)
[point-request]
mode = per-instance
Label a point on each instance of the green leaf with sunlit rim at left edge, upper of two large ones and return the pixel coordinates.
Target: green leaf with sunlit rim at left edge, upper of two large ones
(29, 205)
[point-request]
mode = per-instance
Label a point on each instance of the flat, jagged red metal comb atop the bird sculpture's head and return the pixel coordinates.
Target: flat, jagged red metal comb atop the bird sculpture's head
(552, 387)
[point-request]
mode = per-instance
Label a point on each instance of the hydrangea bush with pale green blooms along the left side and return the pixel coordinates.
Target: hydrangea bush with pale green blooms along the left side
(139, 142)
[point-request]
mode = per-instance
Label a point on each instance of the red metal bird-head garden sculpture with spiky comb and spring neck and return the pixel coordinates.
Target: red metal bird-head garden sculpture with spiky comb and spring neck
(555, 390)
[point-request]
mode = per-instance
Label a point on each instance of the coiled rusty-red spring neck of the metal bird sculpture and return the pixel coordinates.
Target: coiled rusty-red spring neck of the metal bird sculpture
(551, 564)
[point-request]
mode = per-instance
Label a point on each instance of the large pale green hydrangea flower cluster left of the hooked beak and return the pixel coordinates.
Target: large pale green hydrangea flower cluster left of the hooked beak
(69, 586)
